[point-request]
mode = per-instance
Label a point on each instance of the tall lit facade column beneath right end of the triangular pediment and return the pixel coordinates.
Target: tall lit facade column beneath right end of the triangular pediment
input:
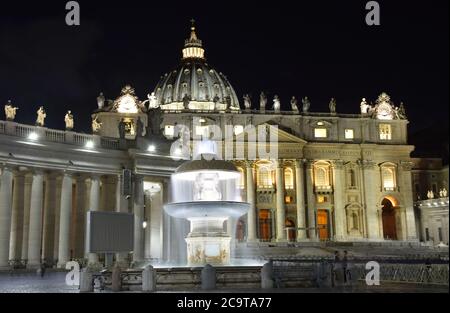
(300, 200)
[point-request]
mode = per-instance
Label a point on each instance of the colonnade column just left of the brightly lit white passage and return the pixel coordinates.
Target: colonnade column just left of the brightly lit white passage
(138, 253)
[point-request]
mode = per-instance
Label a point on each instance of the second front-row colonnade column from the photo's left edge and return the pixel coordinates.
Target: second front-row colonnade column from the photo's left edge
(35, 231)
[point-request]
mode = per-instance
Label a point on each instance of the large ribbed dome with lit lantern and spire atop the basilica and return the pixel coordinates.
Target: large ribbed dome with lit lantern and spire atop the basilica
(194, 84)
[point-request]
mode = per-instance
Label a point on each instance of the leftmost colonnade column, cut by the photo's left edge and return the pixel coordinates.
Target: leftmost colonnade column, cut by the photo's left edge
(6, 182)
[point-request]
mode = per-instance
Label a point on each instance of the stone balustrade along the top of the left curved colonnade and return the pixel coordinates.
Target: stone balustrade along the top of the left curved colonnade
(59, 136)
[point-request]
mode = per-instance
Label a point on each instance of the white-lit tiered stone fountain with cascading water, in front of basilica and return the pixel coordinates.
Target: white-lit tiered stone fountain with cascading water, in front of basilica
(206, 195)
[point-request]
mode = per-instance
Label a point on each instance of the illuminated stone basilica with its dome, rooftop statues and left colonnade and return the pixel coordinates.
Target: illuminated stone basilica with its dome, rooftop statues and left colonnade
(312, 177)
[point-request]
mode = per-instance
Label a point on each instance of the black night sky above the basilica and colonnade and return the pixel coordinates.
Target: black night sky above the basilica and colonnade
(319, 49)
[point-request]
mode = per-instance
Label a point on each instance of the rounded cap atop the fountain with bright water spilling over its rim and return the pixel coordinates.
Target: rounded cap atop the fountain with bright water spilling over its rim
(189, 170)
